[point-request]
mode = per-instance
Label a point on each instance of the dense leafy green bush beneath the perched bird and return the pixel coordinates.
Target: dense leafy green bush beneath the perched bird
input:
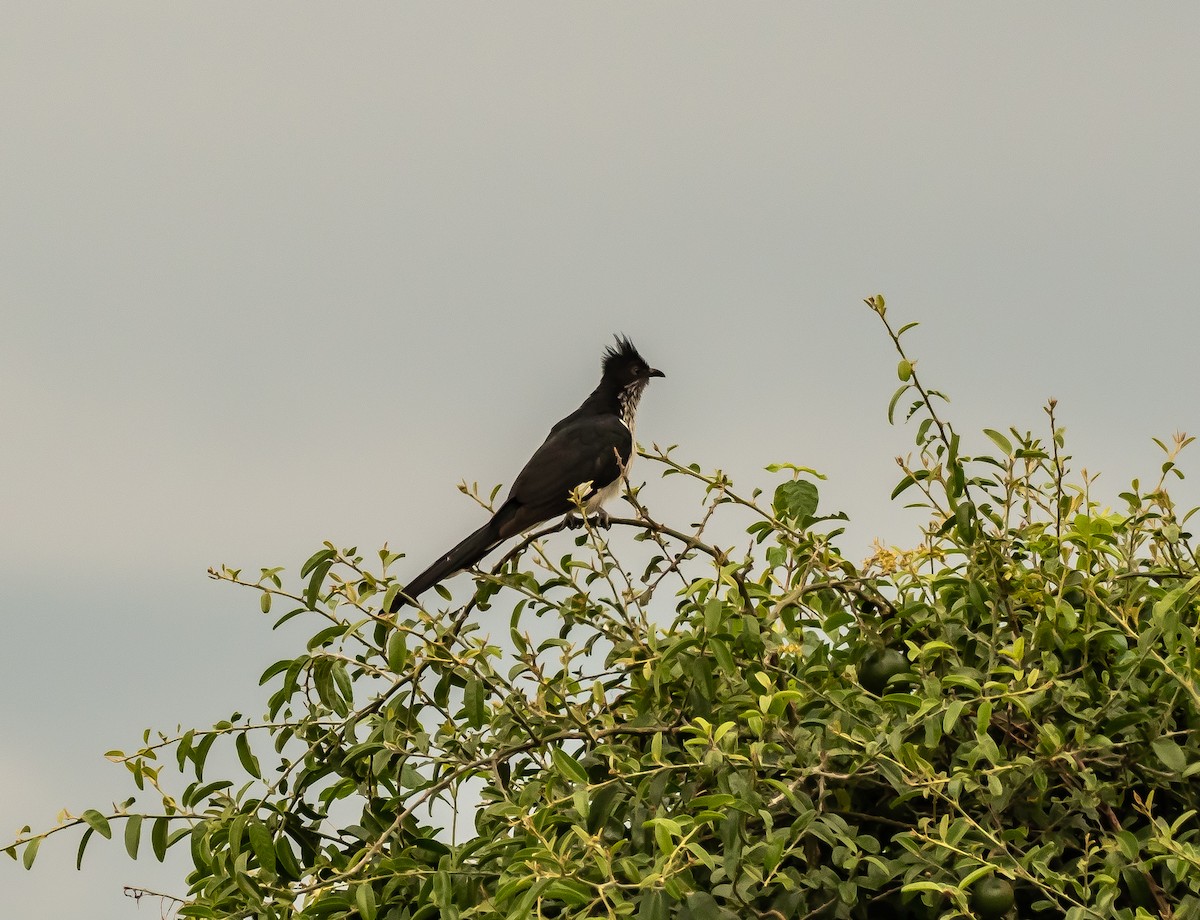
(1009, 709)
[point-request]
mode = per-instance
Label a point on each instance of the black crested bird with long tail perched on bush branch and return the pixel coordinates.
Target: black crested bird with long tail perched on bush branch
(592, 446)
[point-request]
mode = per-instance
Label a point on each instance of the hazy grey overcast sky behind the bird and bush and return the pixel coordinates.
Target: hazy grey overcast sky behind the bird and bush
(278, 274)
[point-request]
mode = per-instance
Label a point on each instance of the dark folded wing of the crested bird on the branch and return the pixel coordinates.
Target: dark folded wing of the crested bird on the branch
(589, 450)
